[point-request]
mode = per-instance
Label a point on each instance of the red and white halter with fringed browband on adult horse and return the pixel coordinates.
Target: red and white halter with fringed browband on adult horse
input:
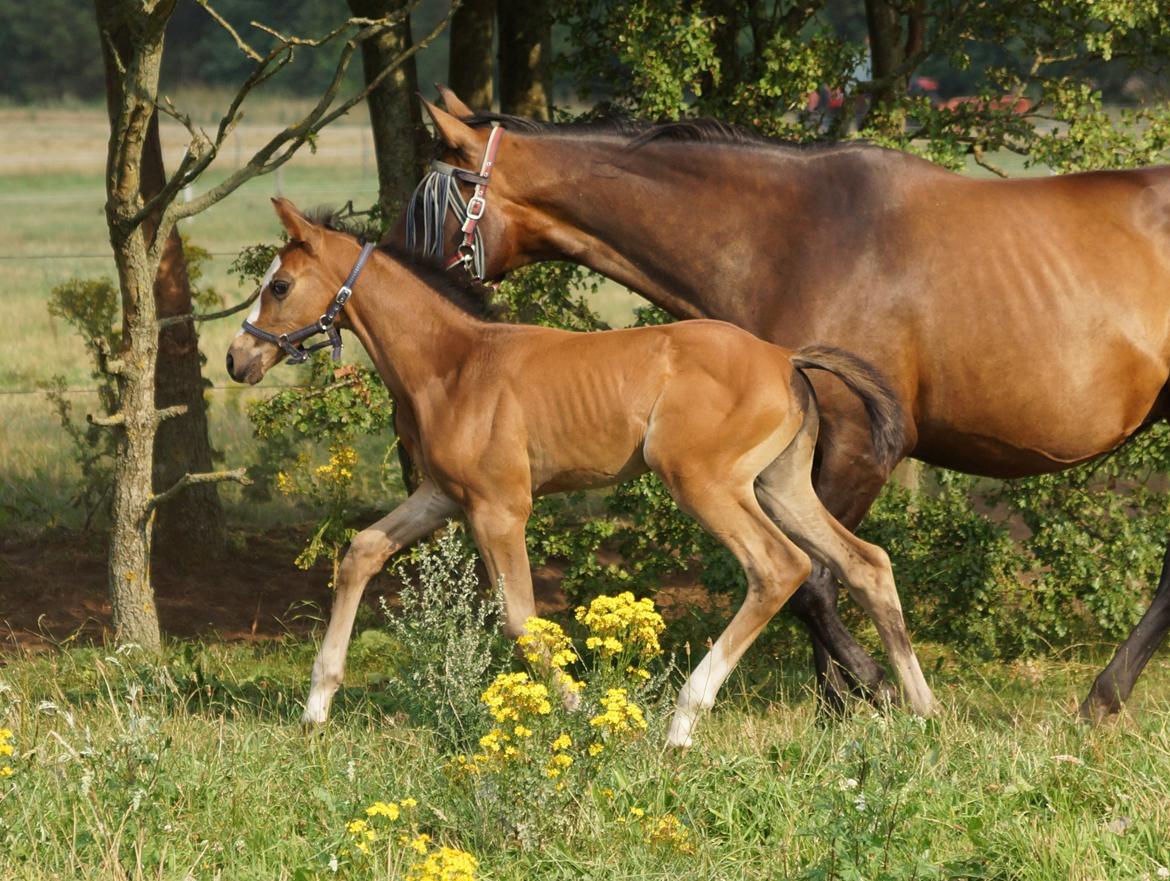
(438, 194)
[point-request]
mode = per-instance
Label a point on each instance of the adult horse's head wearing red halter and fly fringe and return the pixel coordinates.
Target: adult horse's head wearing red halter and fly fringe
(436, 214)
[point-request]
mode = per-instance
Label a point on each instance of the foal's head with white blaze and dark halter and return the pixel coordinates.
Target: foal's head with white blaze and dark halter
(297, 294)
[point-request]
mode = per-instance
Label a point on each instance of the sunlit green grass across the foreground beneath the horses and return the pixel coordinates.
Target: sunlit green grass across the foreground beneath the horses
(201, 770)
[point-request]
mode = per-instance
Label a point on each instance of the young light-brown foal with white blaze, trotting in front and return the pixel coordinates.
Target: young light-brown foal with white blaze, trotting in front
(498, 414)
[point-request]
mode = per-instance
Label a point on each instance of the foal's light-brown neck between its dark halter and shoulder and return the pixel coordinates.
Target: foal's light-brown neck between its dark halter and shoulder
(412, 334)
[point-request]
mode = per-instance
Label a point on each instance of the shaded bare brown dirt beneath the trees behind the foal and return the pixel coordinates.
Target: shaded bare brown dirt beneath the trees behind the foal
(53, 593)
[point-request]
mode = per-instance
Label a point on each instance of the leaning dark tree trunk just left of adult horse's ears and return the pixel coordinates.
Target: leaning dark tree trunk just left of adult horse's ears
(400, 139)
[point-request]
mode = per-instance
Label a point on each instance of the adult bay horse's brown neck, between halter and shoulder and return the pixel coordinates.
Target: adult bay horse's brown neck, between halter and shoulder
(684, 225)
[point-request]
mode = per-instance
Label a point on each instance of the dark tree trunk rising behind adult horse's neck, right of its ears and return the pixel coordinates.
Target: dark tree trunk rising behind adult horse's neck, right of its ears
(526, 58)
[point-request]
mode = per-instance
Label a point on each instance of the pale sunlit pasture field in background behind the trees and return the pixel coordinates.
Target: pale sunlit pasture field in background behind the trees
(52, 168)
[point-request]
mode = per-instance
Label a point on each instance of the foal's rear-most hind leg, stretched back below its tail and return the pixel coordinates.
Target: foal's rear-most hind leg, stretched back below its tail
(786, 492)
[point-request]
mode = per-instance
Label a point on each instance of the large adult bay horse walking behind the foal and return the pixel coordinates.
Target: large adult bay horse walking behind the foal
(1024, 325)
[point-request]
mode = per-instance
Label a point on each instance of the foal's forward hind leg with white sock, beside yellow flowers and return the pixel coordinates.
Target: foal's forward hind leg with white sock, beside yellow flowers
(774, 566)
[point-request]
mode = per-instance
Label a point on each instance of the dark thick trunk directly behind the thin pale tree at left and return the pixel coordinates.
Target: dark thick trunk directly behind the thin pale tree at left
(192, 522)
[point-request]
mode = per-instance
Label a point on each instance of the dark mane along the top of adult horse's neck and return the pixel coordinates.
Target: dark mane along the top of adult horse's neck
(642, 133)
